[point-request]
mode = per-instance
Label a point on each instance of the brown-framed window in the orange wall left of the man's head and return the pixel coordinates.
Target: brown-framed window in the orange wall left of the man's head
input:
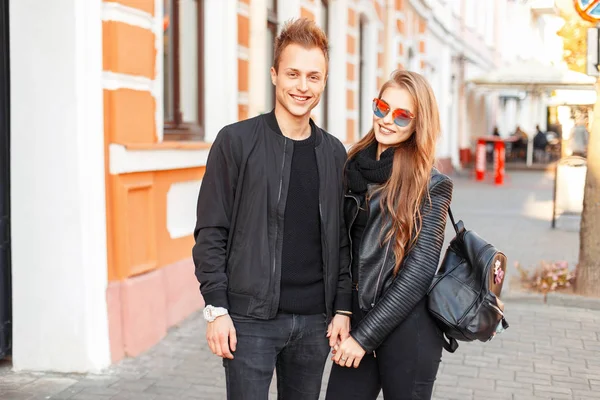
(183, 59)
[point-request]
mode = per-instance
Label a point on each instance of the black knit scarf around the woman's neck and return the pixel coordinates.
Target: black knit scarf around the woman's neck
(364, 168)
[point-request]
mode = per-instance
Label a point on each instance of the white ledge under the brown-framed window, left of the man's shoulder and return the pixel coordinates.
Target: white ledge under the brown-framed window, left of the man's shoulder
(123, 161)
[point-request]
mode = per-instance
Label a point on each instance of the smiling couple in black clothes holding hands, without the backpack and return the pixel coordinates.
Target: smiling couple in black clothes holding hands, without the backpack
(301, 249)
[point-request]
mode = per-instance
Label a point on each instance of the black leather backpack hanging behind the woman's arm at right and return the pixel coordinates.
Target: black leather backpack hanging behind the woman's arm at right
(464, 297)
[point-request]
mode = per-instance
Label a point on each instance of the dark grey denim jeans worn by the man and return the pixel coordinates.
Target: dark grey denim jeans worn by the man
(295, 345)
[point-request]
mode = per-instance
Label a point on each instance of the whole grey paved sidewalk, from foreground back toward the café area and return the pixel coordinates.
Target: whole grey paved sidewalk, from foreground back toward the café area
(549, 352)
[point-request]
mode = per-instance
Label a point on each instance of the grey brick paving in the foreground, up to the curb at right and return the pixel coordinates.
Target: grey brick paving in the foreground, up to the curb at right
(549, 352)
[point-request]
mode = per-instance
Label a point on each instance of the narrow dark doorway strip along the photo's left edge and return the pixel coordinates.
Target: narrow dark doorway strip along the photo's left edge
(5, 265)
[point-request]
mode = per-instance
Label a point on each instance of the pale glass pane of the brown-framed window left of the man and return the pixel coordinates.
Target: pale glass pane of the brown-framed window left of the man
(188, 64)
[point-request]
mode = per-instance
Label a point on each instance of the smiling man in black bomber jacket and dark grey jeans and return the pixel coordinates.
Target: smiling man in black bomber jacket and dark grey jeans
(271, 249)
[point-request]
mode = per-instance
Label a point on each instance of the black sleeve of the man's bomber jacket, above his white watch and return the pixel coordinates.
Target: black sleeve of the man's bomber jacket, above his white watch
(215, 207)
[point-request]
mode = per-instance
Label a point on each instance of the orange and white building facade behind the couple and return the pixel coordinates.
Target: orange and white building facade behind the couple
(114, 105)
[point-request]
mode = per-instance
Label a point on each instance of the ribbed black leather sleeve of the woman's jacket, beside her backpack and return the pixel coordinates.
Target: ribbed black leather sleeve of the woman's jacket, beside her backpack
(415, 275)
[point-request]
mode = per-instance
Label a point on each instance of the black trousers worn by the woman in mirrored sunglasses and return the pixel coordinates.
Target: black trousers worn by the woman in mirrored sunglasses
(405, 365)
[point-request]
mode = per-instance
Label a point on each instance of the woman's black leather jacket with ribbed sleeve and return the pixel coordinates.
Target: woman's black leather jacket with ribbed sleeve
(389, 299)
